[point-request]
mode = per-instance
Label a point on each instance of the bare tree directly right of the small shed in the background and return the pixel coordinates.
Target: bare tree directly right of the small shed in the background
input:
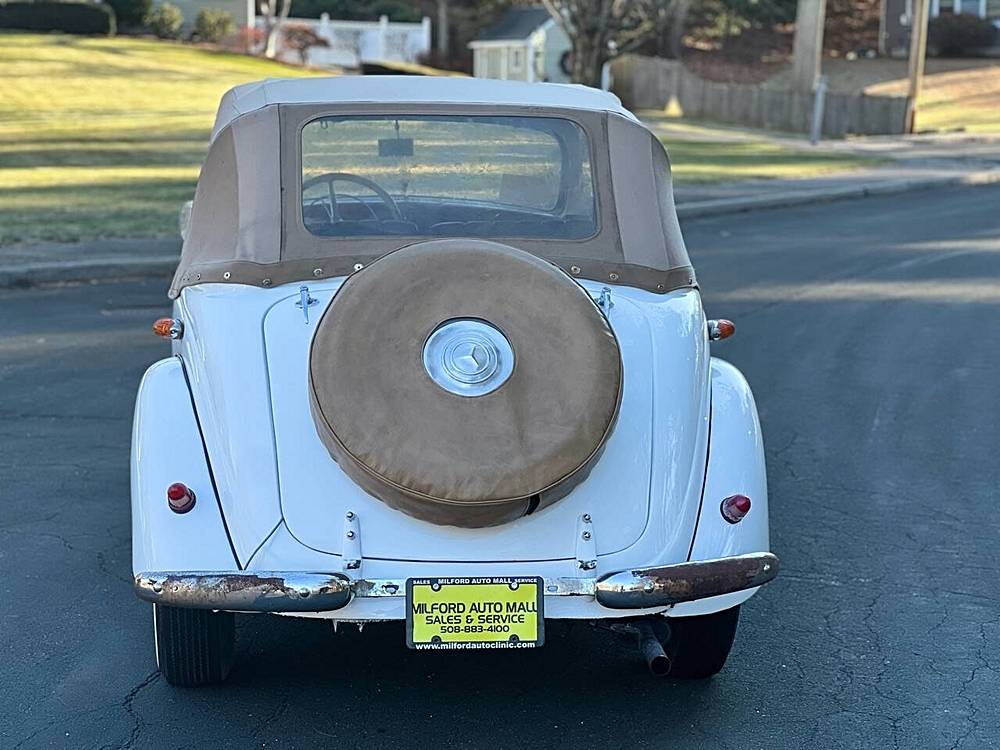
(600, 29)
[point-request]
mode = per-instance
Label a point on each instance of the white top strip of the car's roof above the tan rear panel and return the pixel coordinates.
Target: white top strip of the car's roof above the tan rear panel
(335, 90)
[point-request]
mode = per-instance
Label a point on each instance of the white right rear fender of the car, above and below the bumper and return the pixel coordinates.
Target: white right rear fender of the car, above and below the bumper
(735, 466)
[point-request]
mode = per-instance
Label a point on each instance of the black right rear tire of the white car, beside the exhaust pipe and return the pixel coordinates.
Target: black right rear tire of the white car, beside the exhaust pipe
(699, 646)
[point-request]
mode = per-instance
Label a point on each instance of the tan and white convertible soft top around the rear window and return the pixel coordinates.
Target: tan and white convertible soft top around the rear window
(247, 226)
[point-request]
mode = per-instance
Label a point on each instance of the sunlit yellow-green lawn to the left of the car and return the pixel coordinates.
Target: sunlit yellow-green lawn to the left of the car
(104, 137)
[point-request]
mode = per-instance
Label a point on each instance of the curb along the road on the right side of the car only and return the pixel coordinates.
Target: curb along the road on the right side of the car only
(723, 206)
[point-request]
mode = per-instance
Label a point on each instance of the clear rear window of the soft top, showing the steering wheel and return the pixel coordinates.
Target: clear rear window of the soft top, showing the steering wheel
(441, 176)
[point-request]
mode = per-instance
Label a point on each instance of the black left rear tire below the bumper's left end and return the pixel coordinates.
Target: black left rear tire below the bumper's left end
(193, 646)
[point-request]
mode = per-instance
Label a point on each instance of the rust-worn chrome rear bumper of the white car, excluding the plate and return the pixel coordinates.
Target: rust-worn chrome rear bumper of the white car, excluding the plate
(323, 592)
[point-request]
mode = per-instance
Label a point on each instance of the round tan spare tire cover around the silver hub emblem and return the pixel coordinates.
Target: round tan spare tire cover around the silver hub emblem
(453, 459)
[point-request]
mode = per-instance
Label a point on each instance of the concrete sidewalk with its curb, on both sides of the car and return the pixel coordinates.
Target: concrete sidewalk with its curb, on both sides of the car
(918, 163)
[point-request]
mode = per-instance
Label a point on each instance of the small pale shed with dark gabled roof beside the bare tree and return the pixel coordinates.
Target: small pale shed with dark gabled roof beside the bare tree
(526, 44)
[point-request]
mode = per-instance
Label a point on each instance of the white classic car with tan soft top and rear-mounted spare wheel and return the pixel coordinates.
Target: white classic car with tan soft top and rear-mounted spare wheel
(439, 357)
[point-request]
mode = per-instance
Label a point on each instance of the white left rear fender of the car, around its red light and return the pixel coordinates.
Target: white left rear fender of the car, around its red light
(167, 448)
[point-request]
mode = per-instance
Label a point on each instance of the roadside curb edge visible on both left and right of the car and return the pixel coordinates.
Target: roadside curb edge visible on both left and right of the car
(163, 265)
